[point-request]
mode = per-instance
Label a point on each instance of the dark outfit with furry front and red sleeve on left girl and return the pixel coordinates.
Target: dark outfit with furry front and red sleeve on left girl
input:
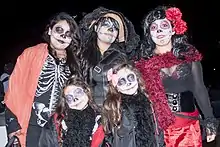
(79, 132)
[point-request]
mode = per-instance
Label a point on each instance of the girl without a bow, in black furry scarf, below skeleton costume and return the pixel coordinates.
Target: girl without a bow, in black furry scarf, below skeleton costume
(76, 119)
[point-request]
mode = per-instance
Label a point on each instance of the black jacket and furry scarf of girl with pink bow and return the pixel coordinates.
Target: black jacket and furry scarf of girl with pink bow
(138, 127)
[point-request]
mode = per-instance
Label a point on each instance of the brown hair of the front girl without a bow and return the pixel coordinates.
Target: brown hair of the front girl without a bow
(62, 106)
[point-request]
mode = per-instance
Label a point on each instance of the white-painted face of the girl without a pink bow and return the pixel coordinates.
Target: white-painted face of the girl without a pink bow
(75, 97)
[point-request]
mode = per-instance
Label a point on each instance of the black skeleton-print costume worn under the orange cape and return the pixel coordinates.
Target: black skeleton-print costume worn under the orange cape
(50, 82)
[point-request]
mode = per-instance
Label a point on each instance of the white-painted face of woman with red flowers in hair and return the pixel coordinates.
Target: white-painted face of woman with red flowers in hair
(161, 32)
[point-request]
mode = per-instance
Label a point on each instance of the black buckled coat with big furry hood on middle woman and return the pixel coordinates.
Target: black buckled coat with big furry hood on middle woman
(98, 65)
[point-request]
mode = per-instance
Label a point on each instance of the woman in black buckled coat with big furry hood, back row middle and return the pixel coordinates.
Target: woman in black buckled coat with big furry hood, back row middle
(107, 37)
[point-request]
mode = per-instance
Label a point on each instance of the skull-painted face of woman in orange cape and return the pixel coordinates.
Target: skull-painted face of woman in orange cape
(60, 35)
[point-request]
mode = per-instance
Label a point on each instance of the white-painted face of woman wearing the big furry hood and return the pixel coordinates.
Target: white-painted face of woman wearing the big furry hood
(107, 30)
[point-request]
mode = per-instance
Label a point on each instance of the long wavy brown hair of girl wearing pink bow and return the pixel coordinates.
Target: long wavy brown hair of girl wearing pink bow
(112, 111)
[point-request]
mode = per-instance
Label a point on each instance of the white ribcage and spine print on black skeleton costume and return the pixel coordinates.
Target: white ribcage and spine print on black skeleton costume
(52, 77)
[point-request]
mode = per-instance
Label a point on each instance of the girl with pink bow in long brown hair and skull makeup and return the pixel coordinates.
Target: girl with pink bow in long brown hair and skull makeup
(127, 114)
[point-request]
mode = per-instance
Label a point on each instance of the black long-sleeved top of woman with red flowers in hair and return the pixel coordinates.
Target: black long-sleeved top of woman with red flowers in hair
(189, 77)
